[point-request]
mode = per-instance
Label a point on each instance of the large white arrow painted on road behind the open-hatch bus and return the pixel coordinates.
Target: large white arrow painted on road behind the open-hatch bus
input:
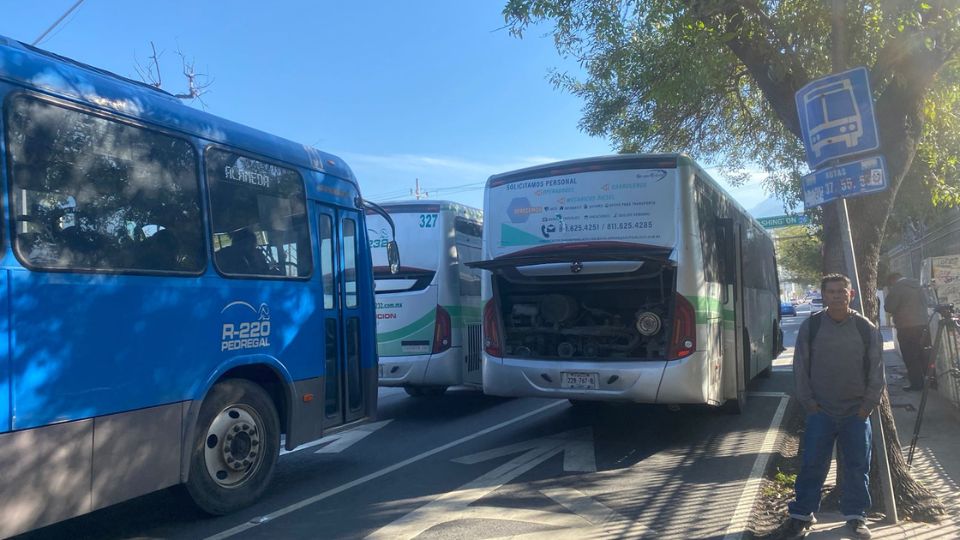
(577, 446)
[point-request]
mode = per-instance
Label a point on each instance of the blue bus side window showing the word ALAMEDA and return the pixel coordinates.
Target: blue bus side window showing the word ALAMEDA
(259, 217)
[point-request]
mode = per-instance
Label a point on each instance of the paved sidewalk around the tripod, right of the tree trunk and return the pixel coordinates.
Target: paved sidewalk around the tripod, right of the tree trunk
(936, 461)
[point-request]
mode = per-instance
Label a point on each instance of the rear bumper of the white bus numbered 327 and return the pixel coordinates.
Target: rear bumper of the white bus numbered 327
(442, 369)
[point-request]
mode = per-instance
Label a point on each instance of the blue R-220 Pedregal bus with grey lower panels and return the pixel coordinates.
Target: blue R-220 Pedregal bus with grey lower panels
(179, 294)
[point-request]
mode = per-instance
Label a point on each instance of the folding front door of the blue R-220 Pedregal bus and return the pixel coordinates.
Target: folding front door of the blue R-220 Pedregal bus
(344, 399)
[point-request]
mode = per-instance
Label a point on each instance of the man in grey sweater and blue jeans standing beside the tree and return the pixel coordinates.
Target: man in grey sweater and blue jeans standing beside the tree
(839, 378)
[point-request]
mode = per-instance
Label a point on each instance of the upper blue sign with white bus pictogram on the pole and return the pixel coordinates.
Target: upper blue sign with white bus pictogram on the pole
(836, 116)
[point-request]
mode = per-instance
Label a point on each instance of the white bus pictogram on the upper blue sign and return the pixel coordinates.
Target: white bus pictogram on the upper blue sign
(834, 117)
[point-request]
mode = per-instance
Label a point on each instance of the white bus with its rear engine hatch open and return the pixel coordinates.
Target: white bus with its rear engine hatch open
(625, 278)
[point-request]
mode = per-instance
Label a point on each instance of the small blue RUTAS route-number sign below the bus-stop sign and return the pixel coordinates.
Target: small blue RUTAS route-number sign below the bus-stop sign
(852, 179)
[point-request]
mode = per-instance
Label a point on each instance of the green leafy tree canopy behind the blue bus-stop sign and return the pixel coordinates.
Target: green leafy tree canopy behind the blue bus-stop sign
(717, 78)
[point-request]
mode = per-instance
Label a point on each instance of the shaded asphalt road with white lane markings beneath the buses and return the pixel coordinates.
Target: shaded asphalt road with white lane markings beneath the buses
(465, 465)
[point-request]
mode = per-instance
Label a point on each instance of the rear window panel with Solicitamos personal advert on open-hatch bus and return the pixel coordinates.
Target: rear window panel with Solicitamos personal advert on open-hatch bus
(635, 206)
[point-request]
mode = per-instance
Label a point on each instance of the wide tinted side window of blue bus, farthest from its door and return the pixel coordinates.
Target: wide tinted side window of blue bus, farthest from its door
(95, 194)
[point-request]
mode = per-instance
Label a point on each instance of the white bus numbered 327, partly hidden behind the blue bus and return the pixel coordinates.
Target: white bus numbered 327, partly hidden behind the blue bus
(428, 313)
